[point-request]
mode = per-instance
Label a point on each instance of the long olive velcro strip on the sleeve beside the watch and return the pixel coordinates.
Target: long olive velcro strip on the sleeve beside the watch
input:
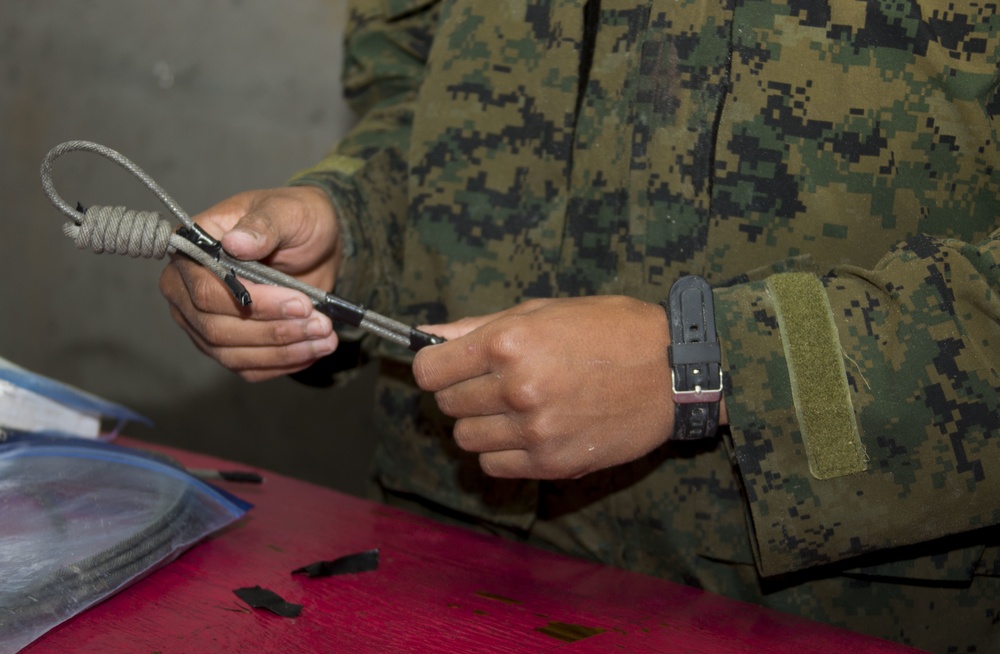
(819, 380)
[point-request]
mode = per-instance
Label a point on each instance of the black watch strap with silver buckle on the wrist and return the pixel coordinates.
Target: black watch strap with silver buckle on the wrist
(695, 359)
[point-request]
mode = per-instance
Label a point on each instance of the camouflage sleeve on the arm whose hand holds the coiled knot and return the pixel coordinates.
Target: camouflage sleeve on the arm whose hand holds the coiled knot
(386, 46)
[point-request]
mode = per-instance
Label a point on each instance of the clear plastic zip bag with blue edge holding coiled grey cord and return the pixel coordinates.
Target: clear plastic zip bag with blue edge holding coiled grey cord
(80, 520)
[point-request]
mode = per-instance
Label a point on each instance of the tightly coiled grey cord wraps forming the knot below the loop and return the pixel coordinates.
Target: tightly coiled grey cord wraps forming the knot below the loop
(118, 230)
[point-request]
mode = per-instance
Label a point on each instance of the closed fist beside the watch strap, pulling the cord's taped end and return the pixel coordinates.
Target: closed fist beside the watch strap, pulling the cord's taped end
(554, 388)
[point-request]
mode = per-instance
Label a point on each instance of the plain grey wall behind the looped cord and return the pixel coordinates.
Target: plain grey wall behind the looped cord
(210, 97)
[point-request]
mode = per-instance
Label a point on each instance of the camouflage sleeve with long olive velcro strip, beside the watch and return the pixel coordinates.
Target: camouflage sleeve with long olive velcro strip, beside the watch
(901, 444)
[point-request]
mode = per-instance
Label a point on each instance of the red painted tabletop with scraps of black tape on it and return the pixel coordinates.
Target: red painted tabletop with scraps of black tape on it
(437, 589)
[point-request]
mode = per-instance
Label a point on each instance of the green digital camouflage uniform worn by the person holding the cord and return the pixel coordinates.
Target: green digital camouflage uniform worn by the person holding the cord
(821, 163)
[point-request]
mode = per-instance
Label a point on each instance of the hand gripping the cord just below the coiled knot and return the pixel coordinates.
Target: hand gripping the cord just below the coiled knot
(291, 229)
